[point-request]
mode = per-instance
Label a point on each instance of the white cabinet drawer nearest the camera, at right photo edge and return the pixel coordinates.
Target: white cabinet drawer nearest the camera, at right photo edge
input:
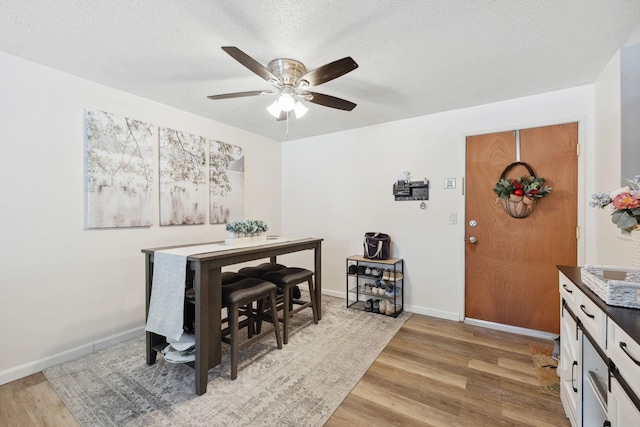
(625, 354)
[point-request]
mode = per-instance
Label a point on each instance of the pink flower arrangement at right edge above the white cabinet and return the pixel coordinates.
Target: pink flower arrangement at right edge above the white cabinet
(624, 204)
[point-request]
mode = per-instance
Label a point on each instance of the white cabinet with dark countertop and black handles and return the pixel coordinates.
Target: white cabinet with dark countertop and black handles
(599, 357)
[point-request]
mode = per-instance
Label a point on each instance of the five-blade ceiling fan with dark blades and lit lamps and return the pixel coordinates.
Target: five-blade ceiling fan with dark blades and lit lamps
(291, 82)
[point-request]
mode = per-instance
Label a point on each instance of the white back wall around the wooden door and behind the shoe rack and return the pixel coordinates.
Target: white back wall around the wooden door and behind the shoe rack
(339, 186)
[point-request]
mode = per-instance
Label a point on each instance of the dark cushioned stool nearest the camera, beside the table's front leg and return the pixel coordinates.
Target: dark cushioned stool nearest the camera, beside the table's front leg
(242, 293)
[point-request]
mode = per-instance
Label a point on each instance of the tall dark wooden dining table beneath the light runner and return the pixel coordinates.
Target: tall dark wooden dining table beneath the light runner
(206, 269)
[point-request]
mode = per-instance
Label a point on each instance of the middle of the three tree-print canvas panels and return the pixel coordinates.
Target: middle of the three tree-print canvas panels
(183, 177)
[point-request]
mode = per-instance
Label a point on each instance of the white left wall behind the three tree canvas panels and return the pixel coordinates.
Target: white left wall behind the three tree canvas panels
(63, 287)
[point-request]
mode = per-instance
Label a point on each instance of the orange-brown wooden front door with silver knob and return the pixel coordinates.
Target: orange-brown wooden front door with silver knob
(510, 271)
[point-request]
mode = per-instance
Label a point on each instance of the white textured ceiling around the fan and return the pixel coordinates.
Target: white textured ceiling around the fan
(415, 57)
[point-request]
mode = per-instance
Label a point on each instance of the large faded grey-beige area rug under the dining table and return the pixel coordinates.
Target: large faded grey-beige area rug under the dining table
(300, 385)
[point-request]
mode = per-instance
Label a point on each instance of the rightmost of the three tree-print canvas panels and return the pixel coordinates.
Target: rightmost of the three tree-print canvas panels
(226, 182)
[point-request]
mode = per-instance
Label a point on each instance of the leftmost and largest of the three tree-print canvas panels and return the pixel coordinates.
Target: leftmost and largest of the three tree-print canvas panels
(119, 172)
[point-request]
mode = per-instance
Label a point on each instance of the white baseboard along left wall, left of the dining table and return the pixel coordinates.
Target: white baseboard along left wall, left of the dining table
(30, 368)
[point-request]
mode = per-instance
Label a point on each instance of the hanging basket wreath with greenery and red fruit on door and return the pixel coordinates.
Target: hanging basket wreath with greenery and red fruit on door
(519, 195)
